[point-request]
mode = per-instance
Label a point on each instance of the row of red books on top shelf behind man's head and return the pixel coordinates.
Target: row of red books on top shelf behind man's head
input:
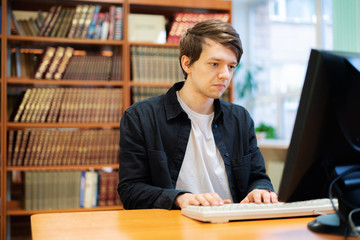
(184, 20)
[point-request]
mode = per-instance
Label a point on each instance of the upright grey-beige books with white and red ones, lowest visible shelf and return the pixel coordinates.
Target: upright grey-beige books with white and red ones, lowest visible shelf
(70, 189)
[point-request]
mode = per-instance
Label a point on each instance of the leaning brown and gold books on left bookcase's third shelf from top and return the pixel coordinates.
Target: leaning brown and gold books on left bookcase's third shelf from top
(64, 105)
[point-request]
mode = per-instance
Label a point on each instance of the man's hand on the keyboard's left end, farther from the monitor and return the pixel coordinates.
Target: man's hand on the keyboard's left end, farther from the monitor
(204, 199)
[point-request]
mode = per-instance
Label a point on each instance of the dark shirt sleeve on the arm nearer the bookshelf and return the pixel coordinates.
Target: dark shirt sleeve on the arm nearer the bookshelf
(135, 187)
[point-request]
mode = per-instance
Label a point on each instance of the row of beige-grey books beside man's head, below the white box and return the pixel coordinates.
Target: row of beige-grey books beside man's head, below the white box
(155, 64)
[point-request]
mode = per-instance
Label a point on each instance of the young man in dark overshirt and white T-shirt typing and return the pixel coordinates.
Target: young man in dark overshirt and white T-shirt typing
(188, 147)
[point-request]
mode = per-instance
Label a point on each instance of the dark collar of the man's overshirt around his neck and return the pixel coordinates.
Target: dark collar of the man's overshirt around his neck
(173, 108)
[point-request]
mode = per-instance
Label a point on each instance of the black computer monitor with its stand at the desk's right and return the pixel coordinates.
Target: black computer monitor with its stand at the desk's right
(325, 142)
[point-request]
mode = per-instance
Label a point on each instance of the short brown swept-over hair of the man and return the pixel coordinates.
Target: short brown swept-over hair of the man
(191, 43)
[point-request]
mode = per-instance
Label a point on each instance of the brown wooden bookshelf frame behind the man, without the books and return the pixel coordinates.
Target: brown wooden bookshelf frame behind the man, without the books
(12, 85)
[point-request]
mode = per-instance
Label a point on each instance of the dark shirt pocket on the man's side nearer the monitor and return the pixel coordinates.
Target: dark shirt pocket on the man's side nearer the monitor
(241, 170)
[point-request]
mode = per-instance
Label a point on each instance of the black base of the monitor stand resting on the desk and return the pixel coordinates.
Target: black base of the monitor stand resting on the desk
(330, 224)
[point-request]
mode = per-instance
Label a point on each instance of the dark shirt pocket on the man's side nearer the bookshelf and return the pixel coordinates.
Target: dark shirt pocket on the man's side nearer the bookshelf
(160, 174)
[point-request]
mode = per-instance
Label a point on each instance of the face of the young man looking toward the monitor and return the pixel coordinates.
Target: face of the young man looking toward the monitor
(212, 73)
